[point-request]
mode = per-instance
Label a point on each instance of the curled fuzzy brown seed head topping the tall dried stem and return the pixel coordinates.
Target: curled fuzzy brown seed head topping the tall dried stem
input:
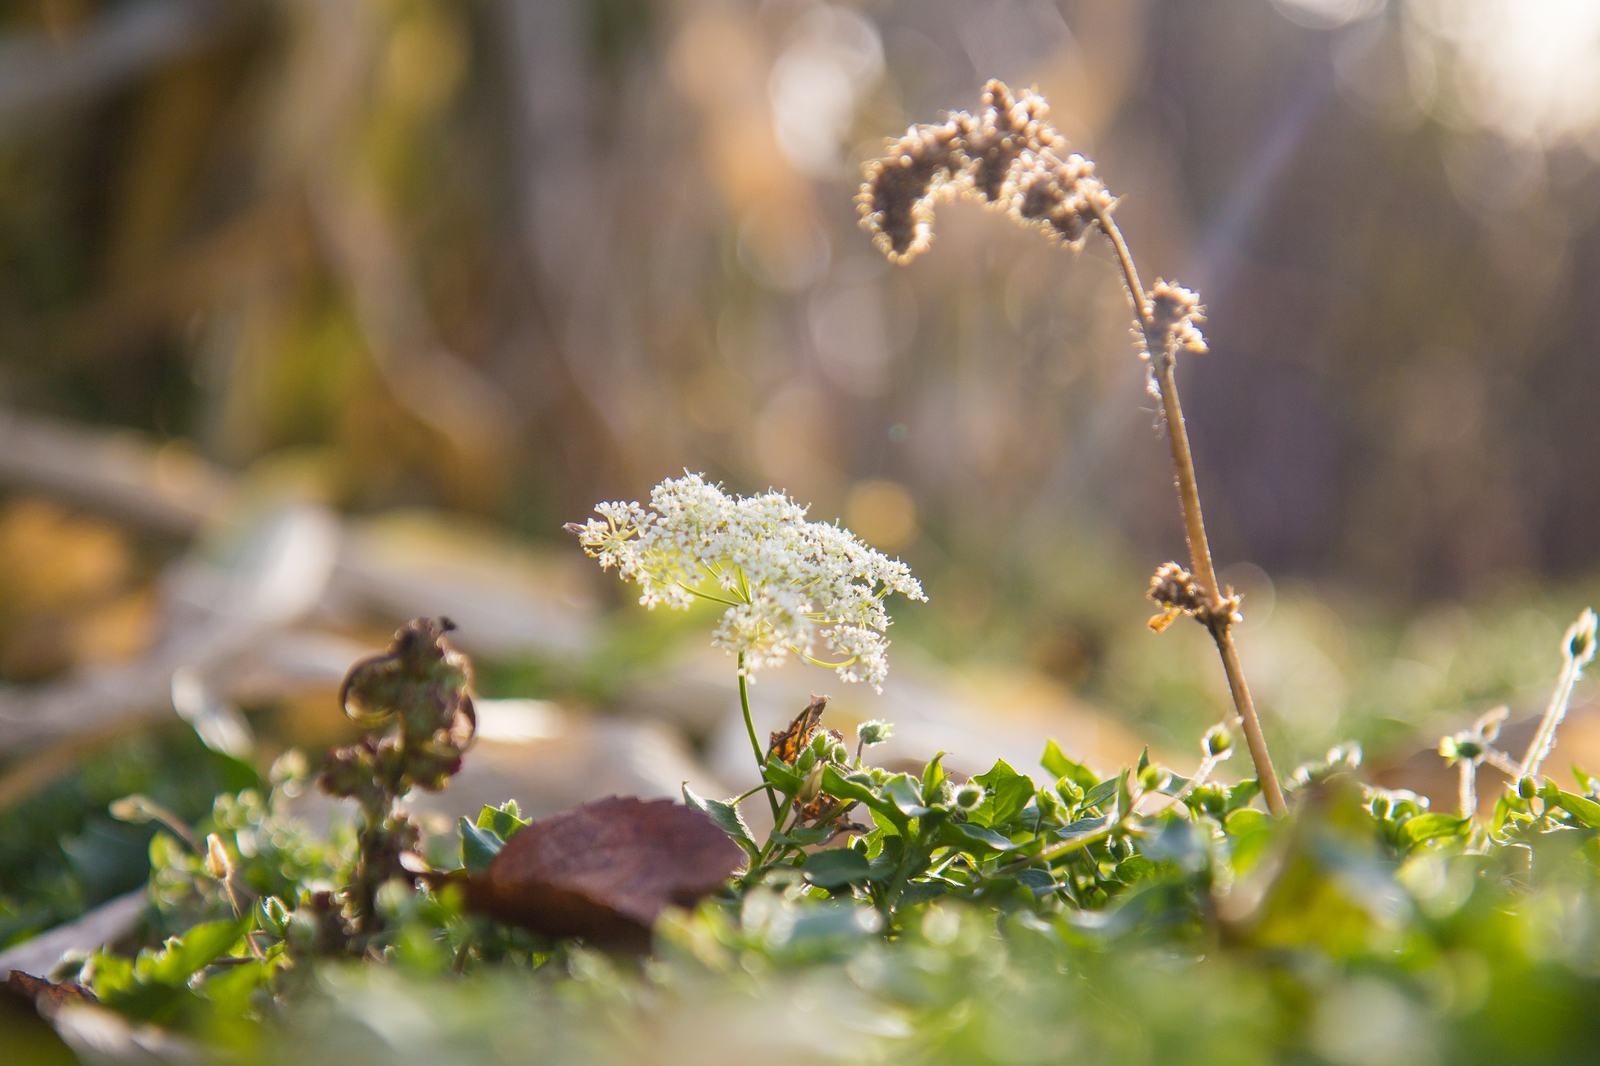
(1007, 156)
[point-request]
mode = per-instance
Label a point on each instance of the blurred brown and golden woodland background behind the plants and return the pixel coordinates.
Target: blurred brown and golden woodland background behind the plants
(319, 315)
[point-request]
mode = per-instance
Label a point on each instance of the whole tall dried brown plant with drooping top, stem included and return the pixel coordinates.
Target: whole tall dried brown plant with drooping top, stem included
(1009, 158)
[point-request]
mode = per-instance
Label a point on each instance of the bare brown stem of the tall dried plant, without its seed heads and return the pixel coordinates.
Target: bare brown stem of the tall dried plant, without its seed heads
(1162, 367)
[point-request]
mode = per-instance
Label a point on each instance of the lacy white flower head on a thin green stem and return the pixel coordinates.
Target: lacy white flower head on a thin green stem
(790, 583)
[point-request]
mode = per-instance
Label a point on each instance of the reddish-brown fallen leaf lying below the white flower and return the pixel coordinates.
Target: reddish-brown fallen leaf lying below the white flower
(606, 872)
